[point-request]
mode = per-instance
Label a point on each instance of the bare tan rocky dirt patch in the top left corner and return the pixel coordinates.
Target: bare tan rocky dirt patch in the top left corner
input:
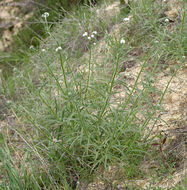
(13, 14)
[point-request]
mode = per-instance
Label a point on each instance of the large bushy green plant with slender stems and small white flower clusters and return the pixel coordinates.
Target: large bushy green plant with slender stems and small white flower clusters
(72, 124)
